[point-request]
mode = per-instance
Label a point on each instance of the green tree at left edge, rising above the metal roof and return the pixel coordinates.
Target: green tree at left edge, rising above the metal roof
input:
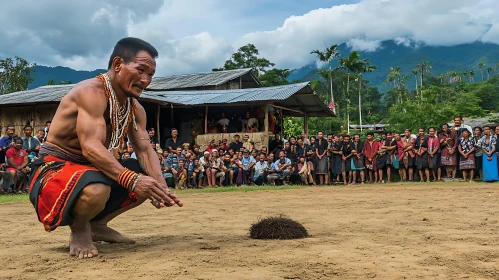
(15, 74)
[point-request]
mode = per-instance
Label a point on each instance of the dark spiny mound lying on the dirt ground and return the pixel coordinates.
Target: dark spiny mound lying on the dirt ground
(277, 227)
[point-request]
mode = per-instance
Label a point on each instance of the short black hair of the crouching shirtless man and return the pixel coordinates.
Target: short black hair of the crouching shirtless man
(127, 49)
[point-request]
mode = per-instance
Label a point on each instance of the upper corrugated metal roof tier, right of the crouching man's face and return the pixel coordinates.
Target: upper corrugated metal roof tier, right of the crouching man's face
(196, 80)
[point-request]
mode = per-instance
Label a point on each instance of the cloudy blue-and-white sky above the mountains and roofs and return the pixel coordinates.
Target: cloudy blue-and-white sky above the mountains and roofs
(198, 35)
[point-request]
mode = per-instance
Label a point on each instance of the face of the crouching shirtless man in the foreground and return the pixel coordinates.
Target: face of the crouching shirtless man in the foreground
(136, 75)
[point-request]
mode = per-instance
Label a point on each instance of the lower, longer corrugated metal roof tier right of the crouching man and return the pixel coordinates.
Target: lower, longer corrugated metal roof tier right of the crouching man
(225, 96)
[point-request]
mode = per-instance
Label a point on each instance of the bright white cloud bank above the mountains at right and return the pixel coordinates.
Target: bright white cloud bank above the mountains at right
(366, 24)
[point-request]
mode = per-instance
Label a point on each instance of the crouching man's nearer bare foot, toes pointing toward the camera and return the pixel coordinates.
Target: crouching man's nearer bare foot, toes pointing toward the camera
(80, 242)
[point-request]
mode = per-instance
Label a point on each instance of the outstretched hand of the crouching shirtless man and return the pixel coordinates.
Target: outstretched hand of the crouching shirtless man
(161, 196)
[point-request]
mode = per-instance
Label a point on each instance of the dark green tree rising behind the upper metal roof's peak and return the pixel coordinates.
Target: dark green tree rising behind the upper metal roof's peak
(247, 57)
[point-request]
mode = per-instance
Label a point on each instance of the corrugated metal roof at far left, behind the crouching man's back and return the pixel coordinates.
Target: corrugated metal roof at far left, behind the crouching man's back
(43, 94)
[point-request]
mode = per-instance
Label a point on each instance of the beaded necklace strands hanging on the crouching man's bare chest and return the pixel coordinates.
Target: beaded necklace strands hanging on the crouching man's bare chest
(120, 116)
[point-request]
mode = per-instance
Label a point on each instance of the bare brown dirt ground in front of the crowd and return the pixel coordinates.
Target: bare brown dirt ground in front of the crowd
(441, 231)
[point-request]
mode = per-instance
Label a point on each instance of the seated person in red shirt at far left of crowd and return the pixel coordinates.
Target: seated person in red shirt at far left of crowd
(17, 165)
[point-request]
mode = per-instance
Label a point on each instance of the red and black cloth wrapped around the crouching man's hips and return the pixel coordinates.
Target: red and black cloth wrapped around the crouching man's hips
(55, 185)
